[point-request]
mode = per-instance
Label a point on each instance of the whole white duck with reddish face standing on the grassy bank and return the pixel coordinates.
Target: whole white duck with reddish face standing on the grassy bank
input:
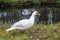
(25, 23)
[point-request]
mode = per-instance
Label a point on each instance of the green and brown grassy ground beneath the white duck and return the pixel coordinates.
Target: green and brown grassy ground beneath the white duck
(37, 32)
